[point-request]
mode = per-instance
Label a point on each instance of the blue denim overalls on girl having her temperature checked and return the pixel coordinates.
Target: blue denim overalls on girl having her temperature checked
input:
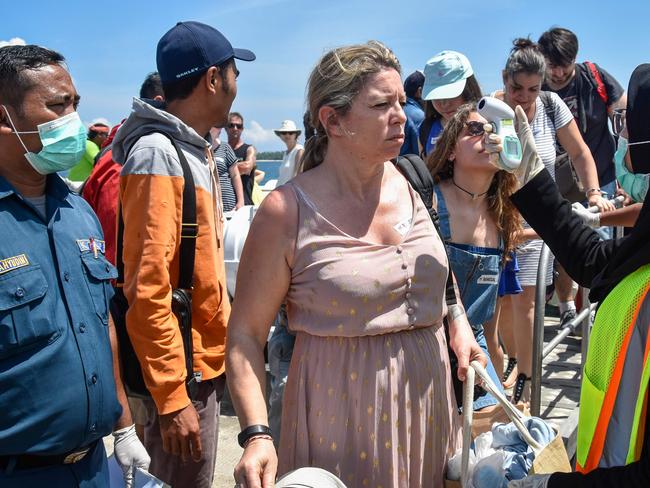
(477, 271)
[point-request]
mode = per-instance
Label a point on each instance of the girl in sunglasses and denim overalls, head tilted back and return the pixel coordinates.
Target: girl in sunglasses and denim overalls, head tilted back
(477, 220)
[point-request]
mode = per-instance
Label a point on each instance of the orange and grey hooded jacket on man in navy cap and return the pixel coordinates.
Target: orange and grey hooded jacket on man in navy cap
(151, 189)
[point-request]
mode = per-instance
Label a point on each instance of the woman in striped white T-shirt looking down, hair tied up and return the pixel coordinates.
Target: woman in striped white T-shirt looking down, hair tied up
(522, 77)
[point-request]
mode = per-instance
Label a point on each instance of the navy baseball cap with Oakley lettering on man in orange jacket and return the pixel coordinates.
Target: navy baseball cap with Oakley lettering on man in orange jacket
(190, 48)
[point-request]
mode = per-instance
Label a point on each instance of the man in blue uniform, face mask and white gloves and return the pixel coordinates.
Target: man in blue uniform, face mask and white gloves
(58, 395)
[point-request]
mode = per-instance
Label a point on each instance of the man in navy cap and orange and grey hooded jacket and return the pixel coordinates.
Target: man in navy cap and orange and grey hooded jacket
(199, 80)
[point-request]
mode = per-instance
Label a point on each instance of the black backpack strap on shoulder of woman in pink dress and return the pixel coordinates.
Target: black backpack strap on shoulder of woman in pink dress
(418, 175)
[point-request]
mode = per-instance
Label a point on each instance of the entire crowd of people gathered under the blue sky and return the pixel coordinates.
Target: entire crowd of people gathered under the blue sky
(114, 312)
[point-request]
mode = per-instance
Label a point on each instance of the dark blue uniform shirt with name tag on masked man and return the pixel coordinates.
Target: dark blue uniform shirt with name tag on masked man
(57, 391)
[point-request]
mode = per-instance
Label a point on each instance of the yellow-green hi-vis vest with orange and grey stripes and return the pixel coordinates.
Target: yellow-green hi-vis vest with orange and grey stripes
(613, 396)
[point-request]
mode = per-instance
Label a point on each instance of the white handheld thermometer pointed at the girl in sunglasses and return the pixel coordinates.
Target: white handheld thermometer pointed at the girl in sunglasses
(502, 119)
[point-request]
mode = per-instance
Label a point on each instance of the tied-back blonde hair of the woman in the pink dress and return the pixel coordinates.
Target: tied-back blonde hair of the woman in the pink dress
(336, 80)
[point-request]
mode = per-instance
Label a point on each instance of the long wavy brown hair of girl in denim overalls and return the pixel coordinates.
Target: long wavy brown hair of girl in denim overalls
(504, 184)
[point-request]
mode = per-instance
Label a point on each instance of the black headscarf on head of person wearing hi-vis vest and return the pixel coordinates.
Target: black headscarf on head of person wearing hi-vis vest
(638, 118)
